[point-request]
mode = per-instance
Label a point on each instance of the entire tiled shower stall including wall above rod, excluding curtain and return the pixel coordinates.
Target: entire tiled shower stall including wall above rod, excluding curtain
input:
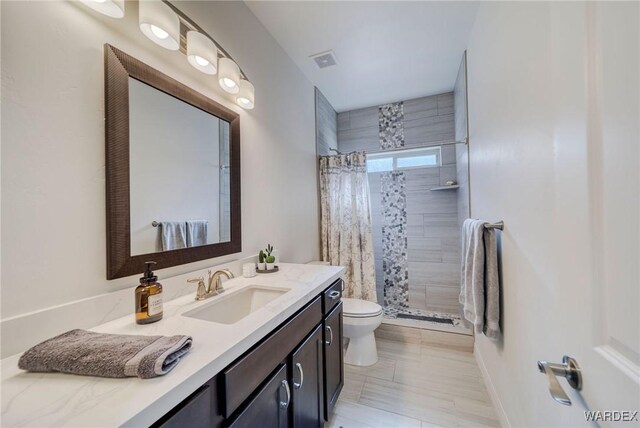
(419, 192)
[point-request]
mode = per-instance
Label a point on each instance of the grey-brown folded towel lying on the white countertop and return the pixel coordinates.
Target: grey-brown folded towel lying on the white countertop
(88, 353)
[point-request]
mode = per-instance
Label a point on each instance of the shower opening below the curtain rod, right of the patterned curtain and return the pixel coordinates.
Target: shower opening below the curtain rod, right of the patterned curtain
(419, 199)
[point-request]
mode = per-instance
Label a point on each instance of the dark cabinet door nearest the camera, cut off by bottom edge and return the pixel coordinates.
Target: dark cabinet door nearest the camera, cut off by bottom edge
(269, 408)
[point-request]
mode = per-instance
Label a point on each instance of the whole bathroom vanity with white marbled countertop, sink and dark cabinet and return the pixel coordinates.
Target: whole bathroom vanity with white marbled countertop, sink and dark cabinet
(278, 359)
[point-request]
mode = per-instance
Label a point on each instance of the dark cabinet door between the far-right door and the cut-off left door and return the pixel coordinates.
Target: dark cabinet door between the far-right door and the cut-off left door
(307, 379)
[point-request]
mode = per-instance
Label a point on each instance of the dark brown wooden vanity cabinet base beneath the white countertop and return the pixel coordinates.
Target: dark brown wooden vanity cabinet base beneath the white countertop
(292, 377)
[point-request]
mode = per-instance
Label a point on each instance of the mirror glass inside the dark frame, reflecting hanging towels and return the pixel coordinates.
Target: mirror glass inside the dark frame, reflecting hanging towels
(179, 173)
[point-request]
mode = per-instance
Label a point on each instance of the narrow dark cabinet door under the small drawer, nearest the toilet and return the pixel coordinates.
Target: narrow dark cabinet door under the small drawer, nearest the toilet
(333, 364)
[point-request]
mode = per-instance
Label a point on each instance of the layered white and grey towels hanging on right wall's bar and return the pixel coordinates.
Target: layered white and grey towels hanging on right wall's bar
(479, 291)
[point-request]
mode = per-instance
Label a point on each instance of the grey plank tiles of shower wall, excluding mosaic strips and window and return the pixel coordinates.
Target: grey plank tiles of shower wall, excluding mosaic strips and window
(432, 231)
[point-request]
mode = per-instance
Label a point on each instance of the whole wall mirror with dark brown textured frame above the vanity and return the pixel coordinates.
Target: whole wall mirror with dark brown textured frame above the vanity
(172, 162)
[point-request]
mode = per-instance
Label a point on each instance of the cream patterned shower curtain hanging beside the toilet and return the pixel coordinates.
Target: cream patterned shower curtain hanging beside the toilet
(346, 222)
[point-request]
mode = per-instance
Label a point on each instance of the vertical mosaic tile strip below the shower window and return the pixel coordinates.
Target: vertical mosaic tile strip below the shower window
(395, 264)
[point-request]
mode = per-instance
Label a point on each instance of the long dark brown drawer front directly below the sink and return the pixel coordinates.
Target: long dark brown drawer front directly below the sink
(241, 378)
